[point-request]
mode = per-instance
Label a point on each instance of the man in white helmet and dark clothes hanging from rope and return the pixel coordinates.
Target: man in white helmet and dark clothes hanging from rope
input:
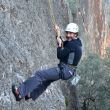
(69, 54)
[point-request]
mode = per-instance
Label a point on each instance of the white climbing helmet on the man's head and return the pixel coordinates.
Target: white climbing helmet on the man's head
(72, 27)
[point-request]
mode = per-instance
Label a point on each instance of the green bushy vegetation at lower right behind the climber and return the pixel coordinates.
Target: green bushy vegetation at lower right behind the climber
(94, 86)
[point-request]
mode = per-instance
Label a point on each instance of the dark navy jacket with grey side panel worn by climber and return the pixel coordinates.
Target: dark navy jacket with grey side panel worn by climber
(71, 52)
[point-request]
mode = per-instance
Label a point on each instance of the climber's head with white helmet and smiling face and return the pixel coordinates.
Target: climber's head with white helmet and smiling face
(71, 31)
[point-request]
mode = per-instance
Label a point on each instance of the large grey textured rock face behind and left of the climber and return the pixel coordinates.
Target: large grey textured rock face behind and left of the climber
(27, 44)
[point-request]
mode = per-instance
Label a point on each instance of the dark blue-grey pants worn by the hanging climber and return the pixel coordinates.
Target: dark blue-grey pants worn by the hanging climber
(38, 83)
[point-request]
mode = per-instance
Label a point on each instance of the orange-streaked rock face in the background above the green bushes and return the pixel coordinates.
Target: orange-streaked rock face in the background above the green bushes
(95, 17)
